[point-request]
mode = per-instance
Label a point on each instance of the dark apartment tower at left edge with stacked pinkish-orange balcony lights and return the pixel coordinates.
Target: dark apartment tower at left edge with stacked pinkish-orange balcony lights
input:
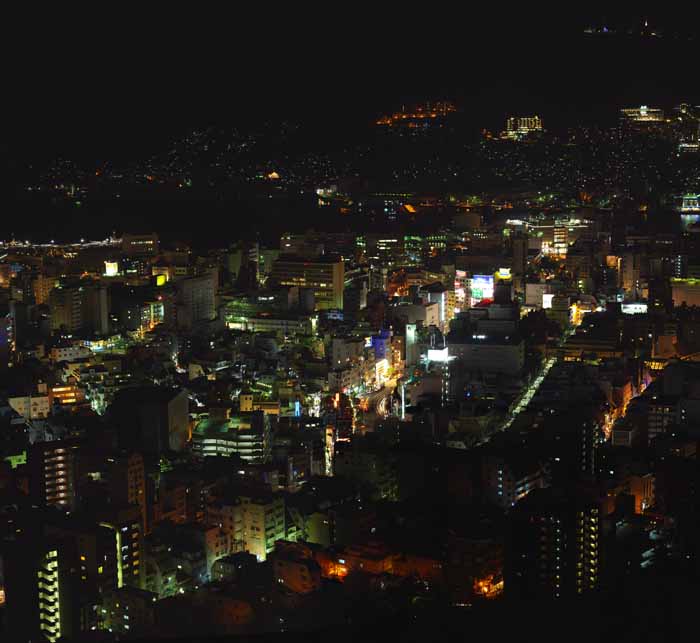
(52, 470)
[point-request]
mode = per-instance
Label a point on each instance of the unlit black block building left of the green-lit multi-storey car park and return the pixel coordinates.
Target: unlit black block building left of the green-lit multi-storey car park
(151, 419)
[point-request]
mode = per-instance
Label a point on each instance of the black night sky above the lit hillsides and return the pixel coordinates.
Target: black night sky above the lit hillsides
(124, 84)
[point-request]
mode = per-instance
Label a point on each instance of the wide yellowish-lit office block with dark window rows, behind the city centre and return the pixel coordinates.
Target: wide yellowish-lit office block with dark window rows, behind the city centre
(324, 276)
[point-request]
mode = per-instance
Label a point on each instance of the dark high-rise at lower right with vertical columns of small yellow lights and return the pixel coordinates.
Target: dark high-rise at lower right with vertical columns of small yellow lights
(555, 544)
